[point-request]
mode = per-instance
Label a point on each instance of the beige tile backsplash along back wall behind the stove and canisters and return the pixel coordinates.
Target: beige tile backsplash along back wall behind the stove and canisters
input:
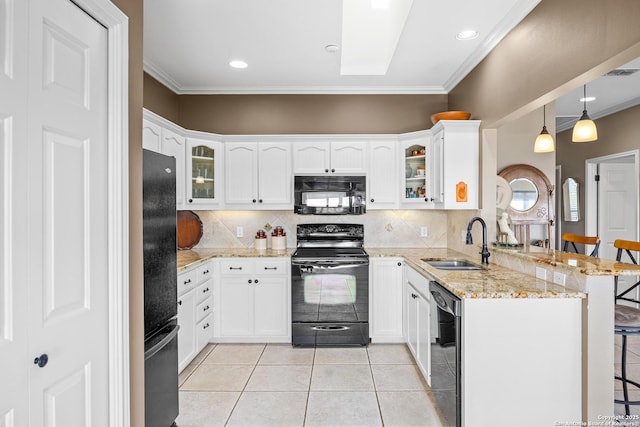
(384, 228)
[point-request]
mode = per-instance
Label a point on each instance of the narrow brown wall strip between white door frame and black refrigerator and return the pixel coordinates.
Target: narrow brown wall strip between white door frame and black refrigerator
(134, 10)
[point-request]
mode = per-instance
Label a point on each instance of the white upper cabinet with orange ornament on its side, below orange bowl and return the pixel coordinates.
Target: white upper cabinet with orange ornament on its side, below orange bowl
(456, 164)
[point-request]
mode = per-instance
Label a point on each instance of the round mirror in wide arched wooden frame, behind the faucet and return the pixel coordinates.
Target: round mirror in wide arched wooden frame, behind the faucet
(531, 200)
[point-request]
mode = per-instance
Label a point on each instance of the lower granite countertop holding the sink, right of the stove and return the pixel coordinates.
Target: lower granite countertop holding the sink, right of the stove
(493, 281)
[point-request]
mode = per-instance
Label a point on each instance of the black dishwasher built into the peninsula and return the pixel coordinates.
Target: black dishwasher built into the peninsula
(446, 353)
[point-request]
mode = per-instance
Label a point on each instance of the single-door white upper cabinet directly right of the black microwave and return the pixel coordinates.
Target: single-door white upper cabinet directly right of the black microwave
(382, 179)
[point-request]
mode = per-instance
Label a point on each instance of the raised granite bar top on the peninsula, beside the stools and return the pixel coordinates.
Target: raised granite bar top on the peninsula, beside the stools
(585, 264)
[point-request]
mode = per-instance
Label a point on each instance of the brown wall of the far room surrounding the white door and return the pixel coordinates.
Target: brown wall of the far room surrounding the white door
(617, 133)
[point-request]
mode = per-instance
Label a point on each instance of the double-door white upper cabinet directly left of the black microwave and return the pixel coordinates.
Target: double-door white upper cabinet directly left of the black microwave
(258, 175)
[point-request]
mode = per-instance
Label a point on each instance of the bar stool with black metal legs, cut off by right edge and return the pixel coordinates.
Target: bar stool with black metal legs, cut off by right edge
(627, 321)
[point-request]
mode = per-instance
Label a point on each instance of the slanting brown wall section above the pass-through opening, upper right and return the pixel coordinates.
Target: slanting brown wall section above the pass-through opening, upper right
(559, 46)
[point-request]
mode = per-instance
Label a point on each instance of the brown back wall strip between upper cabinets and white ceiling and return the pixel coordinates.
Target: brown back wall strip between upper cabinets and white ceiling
(301, 114)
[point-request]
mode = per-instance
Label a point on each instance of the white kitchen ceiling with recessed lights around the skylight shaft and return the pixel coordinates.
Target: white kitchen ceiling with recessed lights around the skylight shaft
(189, 43)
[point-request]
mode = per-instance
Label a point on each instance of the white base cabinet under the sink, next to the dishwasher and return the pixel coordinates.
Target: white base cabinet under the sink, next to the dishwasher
(418, 300)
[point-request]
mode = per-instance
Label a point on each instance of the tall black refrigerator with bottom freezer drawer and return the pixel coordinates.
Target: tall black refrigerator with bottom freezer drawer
(160, 289)
